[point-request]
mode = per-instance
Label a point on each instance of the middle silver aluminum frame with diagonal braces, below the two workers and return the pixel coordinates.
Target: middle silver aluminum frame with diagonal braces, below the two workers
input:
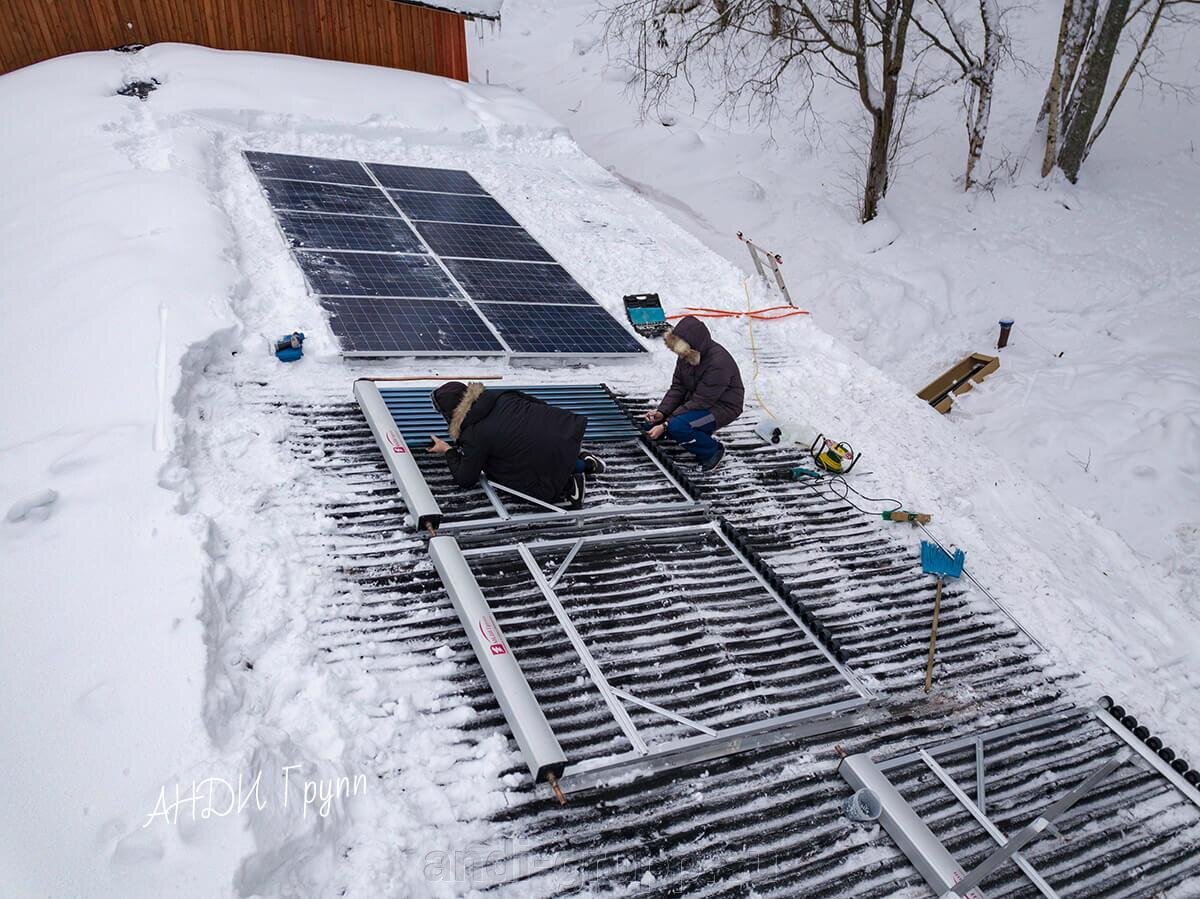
(709, 744)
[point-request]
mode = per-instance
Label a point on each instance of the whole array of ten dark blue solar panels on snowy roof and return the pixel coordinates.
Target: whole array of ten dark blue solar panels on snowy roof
(425, 262)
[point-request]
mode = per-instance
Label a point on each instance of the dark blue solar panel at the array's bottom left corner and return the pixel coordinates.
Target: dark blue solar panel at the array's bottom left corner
(386, 326)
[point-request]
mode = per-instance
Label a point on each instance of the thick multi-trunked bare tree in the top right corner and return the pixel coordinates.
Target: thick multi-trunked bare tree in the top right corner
(1089, 38)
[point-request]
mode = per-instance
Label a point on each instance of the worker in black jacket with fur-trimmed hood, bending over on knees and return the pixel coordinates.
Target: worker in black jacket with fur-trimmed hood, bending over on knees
(517, 440)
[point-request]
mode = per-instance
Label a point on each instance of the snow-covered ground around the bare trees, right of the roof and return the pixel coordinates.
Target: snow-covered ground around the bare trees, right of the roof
(1099, 395)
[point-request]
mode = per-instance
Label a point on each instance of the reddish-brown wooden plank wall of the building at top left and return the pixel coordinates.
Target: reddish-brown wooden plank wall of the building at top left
(380, 33)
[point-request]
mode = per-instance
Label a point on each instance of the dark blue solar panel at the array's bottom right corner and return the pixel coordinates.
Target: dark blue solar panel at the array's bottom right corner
(530, 328)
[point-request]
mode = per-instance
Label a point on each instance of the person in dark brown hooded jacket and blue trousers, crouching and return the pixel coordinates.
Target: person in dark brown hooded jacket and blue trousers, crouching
(706, 393)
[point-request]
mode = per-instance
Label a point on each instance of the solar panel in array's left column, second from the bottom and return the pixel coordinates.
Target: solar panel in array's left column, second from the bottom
(375, 275)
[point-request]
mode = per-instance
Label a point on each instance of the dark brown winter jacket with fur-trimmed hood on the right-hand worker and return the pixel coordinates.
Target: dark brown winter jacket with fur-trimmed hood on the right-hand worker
(706, 377)
